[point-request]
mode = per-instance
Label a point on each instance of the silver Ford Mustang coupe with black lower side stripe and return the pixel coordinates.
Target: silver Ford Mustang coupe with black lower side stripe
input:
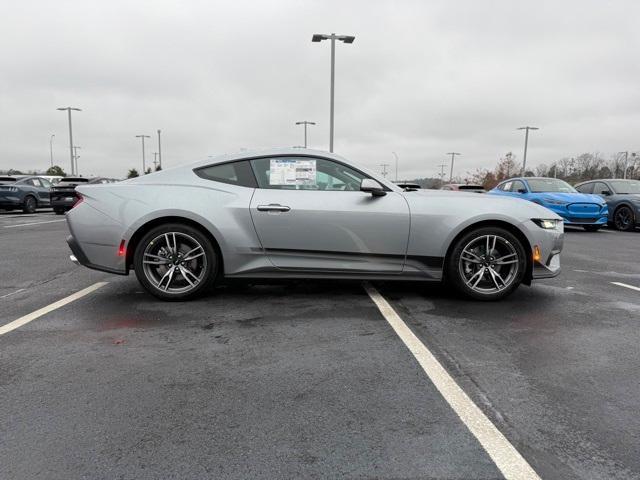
(293, 213)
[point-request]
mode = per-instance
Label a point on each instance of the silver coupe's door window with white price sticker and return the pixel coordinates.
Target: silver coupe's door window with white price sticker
(305, 173)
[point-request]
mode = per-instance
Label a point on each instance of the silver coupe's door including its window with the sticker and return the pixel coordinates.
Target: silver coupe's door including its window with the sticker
(310, 214)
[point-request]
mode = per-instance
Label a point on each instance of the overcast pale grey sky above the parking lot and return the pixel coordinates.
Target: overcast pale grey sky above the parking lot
(422, 78)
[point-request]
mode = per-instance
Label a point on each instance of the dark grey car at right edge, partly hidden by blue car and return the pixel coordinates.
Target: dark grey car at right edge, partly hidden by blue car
(622, 197)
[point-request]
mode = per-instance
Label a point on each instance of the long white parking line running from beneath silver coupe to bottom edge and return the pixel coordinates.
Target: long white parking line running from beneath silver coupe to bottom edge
(508, 460)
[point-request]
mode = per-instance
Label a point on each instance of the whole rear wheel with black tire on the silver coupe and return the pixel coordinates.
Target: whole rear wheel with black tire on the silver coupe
(157, 245)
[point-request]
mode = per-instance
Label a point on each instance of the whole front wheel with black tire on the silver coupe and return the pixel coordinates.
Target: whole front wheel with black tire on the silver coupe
(456, 272)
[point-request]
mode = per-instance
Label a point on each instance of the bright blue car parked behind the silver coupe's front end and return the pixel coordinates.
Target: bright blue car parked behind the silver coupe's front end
(577, 209)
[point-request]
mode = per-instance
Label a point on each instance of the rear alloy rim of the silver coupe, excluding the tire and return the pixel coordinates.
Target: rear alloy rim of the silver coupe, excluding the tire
(174, 262)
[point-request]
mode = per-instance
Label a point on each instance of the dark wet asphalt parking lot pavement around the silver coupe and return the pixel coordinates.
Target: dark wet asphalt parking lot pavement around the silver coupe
(307, 379)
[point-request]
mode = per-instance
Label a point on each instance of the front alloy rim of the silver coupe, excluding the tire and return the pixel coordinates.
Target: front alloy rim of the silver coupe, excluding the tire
(489, 264)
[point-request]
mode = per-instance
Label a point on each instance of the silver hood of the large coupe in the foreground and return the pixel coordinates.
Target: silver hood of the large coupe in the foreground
(473, 204)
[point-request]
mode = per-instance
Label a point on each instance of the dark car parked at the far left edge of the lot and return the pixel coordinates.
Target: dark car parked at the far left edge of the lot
(26, 193)
